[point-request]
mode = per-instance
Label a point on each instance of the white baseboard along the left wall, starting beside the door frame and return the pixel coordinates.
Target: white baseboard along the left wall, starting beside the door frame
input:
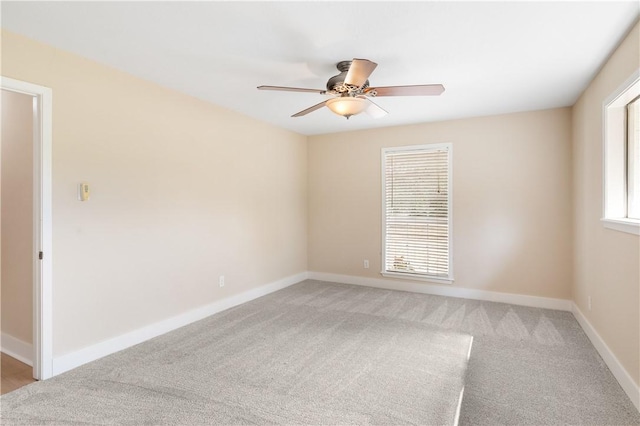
(75, 359)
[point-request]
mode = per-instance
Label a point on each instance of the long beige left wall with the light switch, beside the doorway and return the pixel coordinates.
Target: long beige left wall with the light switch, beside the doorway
(181, 192)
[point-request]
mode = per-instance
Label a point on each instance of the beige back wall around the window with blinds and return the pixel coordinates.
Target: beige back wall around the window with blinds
(511, 205)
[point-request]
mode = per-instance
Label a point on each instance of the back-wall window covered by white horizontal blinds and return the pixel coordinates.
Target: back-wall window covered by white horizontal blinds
(416, 212)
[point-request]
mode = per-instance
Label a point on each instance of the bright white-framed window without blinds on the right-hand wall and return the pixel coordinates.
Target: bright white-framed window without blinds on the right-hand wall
(621, 207)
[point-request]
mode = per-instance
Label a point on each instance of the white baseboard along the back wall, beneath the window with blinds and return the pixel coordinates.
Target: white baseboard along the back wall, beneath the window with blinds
(447, 290)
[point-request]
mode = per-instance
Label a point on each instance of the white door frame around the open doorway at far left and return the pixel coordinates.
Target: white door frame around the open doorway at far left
(42, 224)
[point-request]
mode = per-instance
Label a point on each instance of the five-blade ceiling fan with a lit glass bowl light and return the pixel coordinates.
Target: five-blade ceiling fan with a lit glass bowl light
(352, 92)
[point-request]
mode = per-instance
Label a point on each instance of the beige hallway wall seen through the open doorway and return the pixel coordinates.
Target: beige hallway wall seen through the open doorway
(17, 207)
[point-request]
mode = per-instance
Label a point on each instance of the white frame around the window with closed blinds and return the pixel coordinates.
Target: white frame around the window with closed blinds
(418, 277)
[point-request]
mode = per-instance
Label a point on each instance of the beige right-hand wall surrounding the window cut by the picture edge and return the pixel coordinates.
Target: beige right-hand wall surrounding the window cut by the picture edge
(607, 262)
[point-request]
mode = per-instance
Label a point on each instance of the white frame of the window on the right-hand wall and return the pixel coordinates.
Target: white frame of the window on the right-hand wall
(615, 160)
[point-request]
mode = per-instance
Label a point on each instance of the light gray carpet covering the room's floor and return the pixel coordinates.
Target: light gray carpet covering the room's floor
(325, 353)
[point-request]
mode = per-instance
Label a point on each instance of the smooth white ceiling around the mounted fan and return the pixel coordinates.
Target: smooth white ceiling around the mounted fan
(492, 57)
